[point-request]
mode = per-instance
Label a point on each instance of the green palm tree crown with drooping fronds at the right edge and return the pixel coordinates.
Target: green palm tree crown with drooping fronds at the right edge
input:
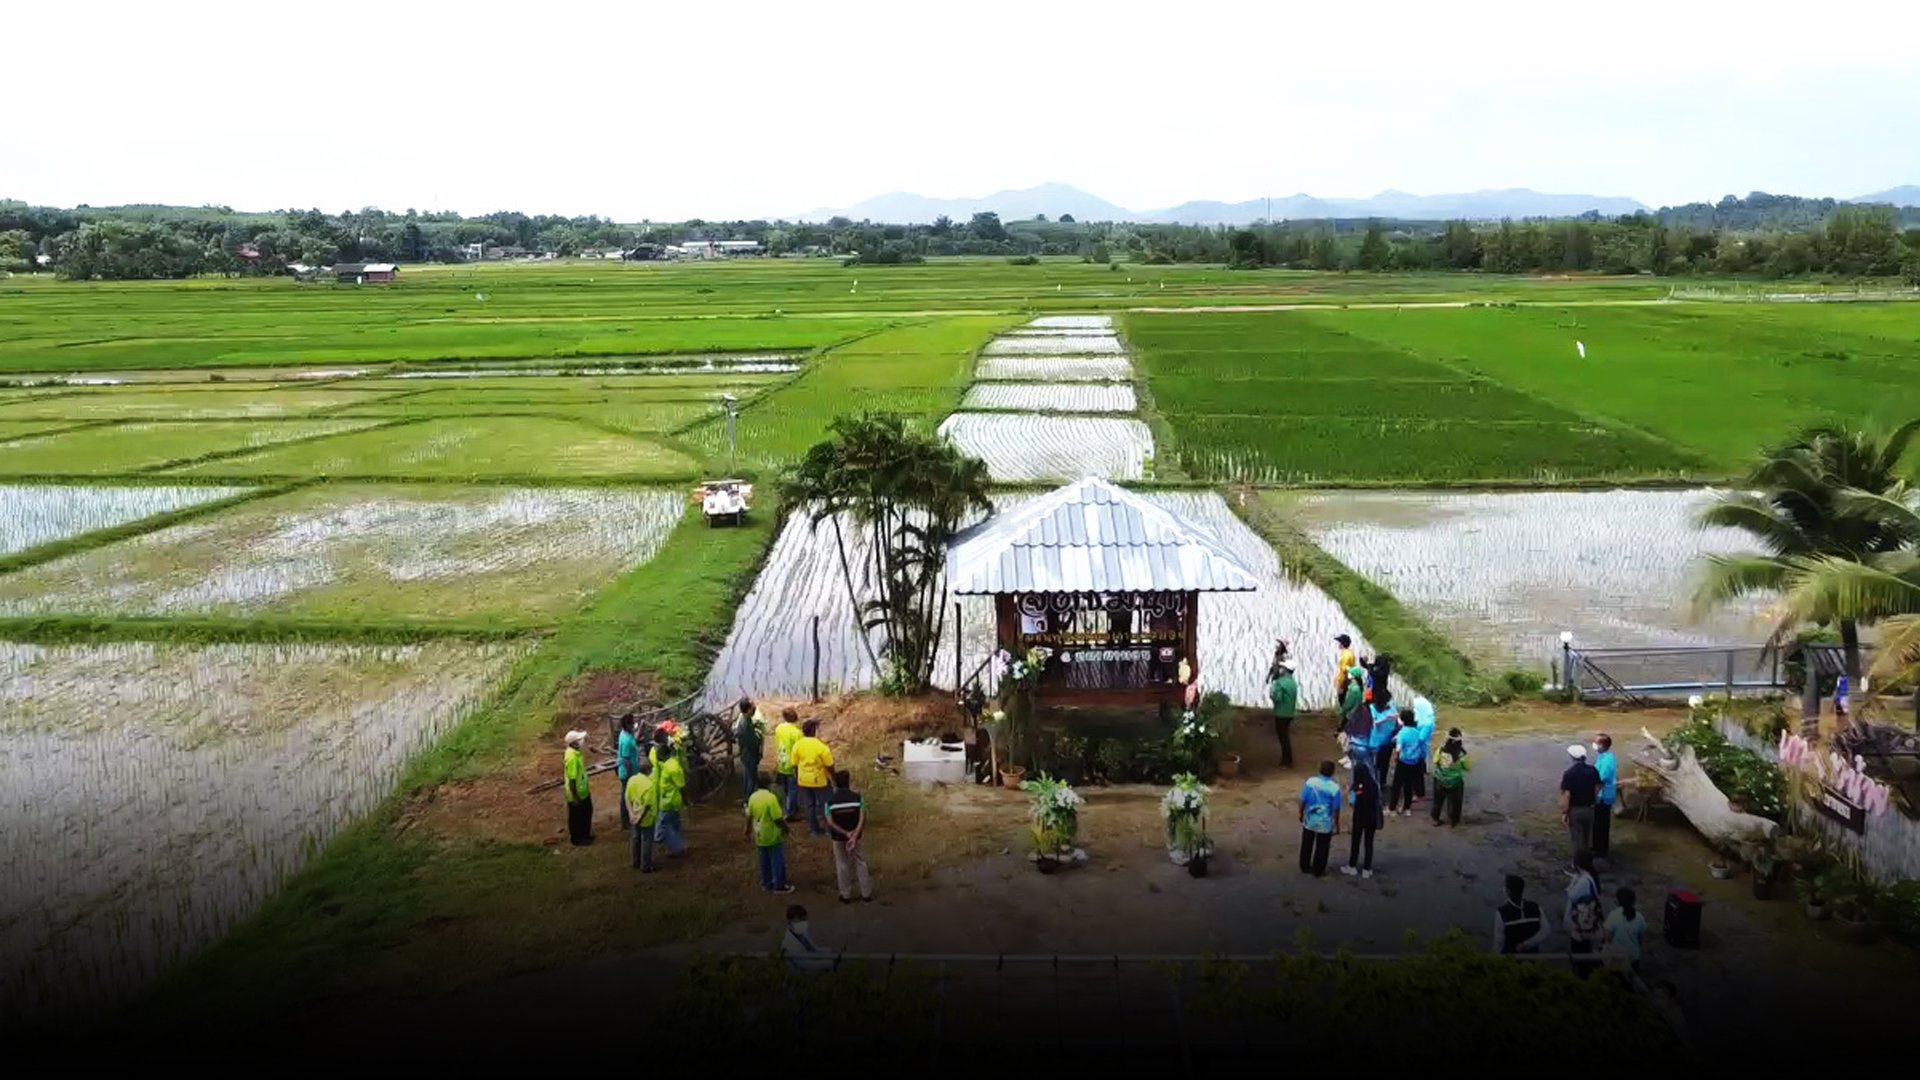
(1817, 501)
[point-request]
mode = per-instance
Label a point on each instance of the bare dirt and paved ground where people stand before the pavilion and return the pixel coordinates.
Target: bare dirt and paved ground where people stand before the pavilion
(1130, 900)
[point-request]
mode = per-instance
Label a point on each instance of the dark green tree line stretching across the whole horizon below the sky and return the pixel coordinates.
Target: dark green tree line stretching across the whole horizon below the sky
(1758, 237)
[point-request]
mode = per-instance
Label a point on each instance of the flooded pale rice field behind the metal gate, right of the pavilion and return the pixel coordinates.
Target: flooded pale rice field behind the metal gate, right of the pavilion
(1506, 574)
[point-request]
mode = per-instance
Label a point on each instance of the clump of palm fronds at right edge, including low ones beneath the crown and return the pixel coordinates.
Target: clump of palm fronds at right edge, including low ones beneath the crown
(1836, 522)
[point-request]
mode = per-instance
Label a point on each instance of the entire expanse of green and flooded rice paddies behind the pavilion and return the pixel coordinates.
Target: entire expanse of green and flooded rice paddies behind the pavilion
(268, 549)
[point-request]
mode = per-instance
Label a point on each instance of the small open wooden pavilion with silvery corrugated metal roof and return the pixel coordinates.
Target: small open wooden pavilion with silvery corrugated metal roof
(1107, 581)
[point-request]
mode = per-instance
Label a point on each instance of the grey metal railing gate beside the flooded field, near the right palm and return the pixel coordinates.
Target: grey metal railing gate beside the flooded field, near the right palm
(1641, 674)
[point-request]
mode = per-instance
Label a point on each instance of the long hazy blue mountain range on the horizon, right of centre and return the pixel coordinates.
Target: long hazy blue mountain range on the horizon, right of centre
(1055, 201)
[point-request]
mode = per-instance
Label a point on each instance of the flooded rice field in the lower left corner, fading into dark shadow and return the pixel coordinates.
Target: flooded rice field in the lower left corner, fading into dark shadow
(158, 795)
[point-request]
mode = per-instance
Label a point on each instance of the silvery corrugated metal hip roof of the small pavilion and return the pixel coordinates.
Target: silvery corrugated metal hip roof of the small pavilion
(1092, 537)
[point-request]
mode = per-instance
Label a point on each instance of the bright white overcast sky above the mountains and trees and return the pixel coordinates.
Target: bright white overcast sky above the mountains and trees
(661, 110)
